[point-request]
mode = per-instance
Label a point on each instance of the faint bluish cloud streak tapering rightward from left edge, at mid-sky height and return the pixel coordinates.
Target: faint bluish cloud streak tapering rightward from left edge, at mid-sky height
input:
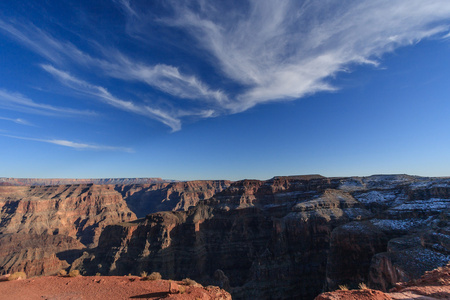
(18, 102)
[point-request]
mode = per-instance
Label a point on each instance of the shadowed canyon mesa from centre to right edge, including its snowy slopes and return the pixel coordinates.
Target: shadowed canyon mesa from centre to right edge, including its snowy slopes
(288, 237)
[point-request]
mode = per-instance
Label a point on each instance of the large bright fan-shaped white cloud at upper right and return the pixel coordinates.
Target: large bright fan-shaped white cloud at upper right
(288, 49)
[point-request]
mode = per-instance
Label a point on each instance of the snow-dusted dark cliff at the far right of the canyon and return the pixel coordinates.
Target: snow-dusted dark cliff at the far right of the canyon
(408, 235)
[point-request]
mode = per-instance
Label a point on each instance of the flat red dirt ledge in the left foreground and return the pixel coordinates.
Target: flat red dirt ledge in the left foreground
(101, 288)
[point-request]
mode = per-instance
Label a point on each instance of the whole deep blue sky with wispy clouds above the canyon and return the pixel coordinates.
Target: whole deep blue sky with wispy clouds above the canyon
(224, 89)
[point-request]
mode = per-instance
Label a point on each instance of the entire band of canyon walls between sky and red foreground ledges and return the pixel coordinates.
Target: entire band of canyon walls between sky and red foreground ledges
(284, 238)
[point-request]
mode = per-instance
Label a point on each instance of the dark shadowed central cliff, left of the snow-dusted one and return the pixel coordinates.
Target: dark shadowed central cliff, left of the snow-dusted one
(264, 236)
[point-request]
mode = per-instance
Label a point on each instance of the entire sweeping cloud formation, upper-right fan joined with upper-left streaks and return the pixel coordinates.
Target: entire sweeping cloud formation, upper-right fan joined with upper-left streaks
(273, 50)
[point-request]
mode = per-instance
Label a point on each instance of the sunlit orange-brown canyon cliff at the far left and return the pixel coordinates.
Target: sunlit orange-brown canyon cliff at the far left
(41, 225)
